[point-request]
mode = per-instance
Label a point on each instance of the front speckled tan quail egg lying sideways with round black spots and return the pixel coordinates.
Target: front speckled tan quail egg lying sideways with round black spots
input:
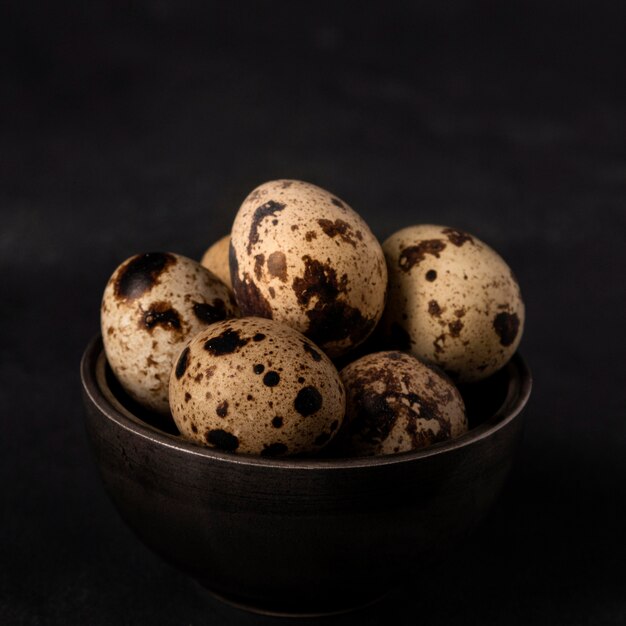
(255, 386)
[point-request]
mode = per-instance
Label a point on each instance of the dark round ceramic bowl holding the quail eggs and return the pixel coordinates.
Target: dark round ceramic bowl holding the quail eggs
(300, 536)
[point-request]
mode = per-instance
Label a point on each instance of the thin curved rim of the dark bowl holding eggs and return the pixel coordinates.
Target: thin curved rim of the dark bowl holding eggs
(92, 369)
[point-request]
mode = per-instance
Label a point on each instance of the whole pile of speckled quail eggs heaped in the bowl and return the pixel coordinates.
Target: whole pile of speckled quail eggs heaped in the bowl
(243, 348)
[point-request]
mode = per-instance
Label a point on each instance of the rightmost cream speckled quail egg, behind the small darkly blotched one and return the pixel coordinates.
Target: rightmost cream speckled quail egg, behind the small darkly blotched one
(452, 301)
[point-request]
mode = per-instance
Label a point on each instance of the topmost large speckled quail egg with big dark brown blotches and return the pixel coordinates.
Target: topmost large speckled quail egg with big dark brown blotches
(303, 257)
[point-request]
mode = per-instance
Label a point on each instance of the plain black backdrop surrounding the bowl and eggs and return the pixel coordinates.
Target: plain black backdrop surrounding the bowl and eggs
(128, 127)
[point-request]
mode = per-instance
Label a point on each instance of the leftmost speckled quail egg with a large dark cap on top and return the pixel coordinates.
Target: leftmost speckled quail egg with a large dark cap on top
(152, 305)
